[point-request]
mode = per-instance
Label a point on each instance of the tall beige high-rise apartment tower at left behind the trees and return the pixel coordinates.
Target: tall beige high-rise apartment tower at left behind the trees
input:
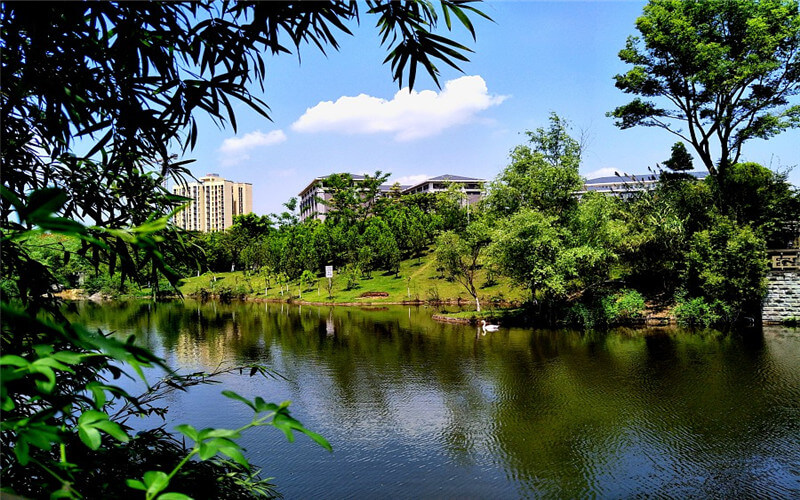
(214, 203)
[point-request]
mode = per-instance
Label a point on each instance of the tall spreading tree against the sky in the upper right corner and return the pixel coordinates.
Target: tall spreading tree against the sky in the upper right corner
(726, 71)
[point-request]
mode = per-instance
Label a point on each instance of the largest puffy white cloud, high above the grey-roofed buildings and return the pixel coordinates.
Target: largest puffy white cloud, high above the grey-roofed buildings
(409, 115)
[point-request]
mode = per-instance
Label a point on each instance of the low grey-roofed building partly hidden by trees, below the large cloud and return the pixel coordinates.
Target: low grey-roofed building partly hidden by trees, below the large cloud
(314, 198)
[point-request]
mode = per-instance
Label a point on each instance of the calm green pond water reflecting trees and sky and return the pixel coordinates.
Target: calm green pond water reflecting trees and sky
(419, 409)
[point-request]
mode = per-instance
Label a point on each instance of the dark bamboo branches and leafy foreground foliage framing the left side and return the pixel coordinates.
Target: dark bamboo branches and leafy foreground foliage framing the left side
(96, 97)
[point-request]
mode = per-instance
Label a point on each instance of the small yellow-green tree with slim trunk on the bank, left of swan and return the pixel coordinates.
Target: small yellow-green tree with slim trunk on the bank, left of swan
(458, 255)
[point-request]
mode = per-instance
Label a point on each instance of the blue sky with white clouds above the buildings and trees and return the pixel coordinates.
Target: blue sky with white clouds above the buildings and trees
(343, 112)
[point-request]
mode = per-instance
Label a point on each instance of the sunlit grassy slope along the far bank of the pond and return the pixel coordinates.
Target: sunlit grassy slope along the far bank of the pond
(418, 280)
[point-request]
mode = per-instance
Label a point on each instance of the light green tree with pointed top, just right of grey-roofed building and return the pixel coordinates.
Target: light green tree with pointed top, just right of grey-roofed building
(542, 175)
